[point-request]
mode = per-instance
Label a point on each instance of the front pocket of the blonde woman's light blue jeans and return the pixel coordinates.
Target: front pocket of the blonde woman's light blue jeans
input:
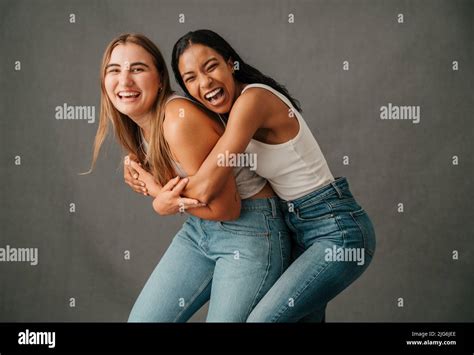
(250, 223)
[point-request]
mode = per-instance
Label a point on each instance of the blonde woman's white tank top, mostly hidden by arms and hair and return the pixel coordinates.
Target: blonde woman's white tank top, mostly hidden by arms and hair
(247, 181)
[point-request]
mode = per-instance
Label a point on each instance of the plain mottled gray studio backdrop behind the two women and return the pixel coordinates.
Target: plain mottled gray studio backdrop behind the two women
(83, 274)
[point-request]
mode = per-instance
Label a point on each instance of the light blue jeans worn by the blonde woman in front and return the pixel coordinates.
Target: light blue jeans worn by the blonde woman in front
(231, 263)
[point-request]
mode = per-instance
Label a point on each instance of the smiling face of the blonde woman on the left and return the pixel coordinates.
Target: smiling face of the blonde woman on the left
(131, 80)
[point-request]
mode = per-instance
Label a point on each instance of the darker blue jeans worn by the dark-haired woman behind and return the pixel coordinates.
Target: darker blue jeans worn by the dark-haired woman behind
(334, 242)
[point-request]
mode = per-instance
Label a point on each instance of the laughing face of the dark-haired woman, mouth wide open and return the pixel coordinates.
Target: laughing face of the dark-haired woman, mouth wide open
(208, 78)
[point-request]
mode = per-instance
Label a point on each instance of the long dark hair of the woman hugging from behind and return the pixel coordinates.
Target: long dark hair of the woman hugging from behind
(245, 74)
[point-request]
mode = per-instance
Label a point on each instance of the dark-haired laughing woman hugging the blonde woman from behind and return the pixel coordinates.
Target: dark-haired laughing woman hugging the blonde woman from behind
(334, 237)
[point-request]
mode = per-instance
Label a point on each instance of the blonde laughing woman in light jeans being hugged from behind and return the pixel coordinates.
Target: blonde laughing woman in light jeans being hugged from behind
(232, 249)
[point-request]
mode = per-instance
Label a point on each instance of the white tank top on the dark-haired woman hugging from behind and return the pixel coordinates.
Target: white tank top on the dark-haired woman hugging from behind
(296, 167)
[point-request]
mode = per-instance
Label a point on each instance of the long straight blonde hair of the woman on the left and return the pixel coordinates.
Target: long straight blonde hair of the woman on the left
(159, 159)
